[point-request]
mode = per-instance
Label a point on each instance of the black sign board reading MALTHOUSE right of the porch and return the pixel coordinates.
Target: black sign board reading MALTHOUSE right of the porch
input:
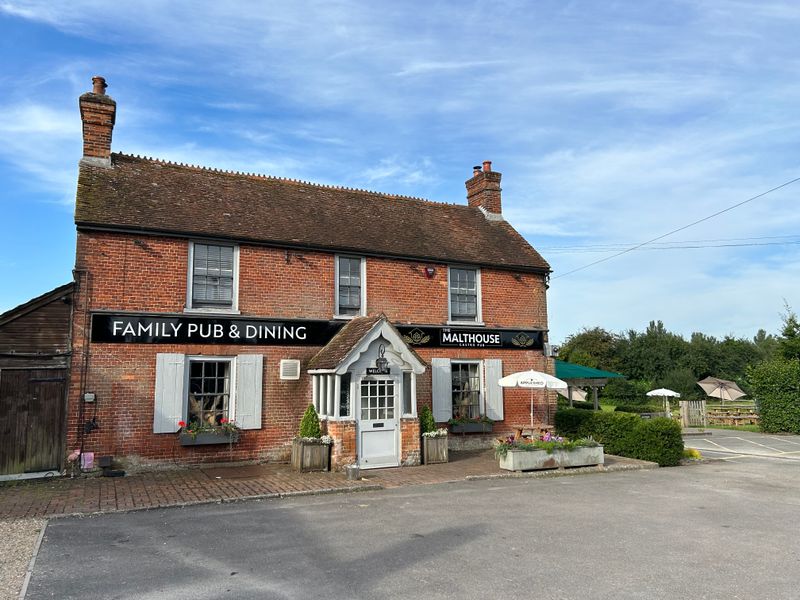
(451, 337)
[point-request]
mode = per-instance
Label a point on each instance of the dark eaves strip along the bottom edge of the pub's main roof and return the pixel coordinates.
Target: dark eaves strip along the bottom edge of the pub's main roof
(88, 225)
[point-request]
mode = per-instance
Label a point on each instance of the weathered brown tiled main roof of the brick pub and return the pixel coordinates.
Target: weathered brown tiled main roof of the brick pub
(144, 194)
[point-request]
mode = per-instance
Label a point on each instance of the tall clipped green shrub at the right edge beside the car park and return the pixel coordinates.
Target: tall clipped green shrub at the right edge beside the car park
(775, 386)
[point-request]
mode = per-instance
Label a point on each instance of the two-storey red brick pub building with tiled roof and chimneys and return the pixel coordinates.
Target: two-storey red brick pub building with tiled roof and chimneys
(204, 295)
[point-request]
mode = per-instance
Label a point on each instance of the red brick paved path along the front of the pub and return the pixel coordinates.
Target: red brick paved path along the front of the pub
(86, 495)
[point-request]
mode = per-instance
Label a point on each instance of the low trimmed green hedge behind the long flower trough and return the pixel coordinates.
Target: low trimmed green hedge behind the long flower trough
(625, 434)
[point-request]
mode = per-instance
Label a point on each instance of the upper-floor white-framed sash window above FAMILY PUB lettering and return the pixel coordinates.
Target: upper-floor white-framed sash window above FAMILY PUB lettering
(213, 280)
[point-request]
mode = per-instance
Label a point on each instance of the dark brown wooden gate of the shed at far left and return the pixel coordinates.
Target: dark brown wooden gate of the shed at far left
(32, 404)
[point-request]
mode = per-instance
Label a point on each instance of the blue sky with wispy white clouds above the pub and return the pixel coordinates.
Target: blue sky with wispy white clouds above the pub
(612, 123)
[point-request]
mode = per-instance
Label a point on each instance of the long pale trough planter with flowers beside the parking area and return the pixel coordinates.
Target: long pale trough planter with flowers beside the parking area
(547, 452)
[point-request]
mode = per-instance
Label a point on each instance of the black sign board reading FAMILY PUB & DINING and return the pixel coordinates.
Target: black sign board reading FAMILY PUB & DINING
(147, 329)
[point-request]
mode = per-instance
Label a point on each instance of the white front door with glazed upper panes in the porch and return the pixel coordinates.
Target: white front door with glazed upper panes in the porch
(378, 423)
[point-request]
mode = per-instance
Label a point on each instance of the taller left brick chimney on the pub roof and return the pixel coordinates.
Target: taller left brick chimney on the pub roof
(98, 113)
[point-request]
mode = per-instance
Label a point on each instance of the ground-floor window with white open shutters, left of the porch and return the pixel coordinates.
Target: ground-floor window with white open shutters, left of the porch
(207, 389)
